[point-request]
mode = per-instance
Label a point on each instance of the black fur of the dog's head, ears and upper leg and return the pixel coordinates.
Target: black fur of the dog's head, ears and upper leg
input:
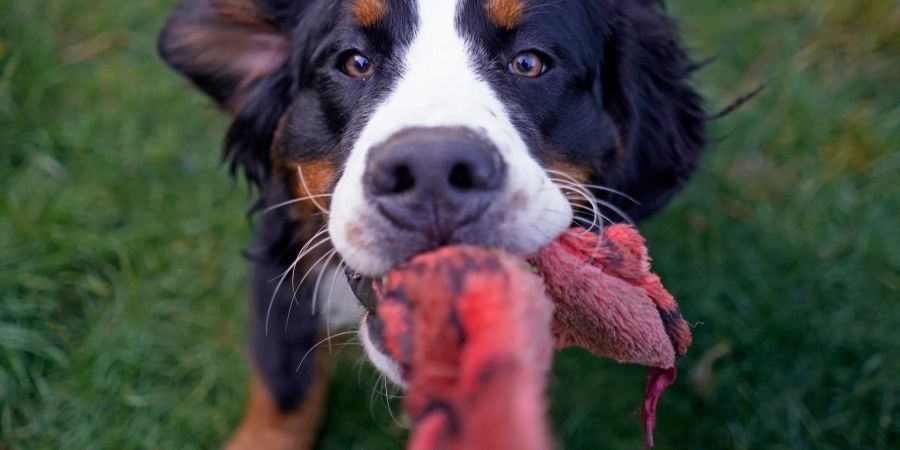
(616, 100)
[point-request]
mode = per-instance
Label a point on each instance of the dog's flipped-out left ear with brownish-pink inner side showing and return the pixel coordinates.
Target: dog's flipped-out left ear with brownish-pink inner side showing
(224, 46)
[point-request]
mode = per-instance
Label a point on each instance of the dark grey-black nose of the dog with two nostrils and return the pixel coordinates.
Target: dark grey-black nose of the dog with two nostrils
(434, 180)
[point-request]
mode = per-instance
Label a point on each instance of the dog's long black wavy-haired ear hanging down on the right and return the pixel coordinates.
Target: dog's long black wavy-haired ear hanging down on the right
(658, 114)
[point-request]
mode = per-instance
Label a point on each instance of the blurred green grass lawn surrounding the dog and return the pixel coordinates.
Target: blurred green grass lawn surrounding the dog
(122, 289)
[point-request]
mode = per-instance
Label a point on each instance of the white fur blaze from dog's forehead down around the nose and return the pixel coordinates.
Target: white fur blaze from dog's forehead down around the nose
(441, 88)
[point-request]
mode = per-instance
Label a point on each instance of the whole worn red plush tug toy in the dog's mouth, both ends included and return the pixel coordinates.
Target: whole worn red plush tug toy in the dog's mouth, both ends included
(473, 331)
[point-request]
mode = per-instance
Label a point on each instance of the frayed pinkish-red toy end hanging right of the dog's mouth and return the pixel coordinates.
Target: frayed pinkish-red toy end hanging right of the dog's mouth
(609, 302)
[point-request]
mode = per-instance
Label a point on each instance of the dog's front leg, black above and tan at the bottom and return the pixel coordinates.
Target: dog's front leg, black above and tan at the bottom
(286, 397)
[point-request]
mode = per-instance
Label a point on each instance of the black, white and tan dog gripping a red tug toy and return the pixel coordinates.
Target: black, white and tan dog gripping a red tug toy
(379, 129)
